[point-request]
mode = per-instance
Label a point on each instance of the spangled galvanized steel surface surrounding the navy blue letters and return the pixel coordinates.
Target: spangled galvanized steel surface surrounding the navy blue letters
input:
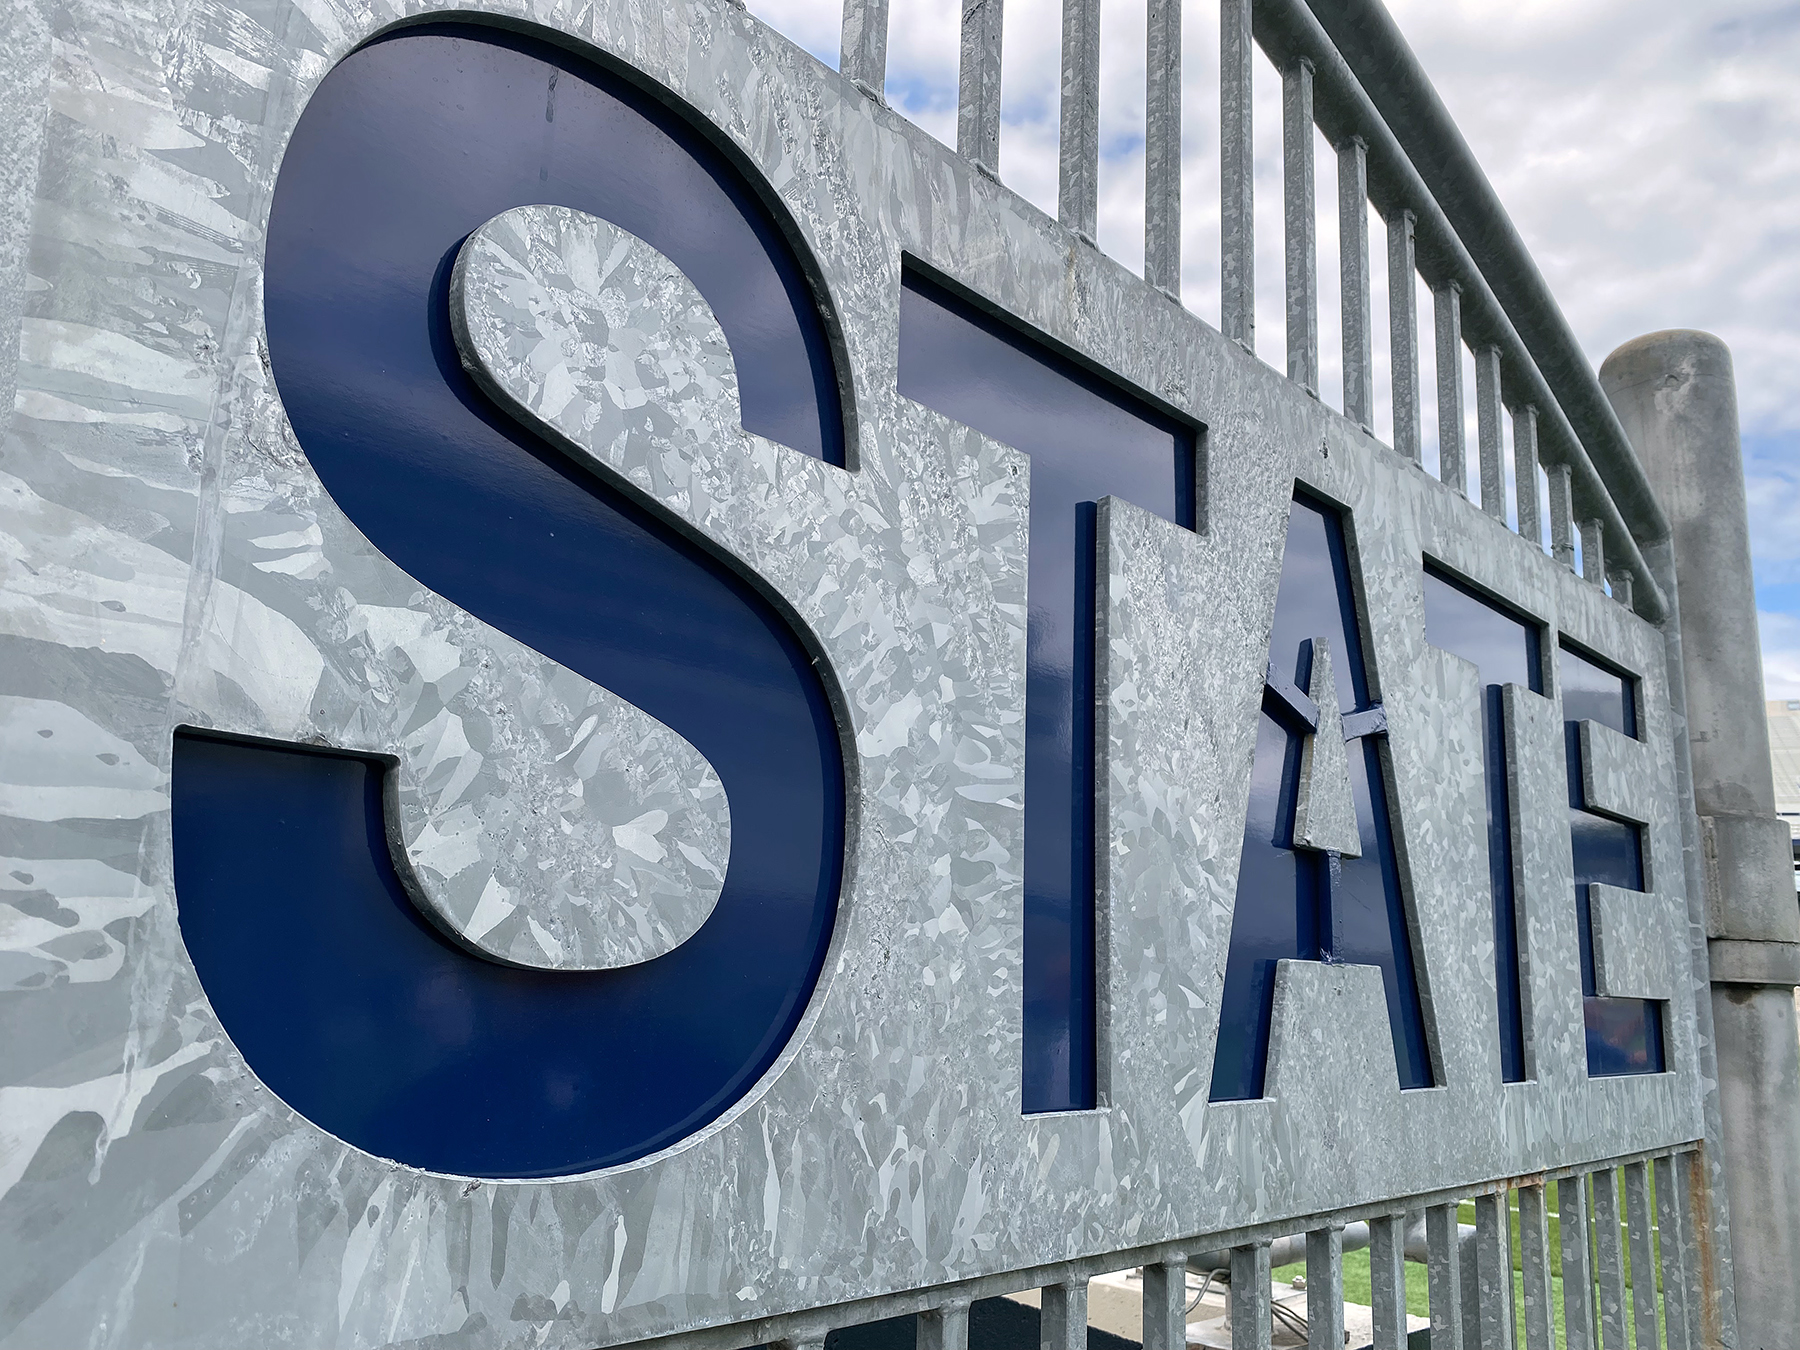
(174, 1201)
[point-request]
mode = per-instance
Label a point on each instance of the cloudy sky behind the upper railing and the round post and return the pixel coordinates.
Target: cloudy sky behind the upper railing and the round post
(1648, 150)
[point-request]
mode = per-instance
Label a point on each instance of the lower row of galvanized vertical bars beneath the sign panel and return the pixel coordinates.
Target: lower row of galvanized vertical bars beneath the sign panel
(1585, 1257)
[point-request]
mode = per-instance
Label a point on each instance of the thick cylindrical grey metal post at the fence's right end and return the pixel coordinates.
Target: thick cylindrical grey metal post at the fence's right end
(1677, 400)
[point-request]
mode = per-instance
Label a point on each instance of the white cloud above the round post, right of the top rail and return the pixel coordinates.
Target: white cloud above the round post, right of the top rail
(1648, 152)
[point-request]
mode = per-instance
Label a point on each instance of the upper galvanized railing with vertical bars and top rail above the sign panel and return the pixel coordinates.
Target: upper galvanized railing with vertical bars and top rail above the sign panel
(1444, 226)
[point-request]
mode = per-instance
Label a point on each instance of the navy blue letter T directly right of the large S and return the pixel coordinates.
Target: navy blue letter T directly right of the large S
(1088, 440)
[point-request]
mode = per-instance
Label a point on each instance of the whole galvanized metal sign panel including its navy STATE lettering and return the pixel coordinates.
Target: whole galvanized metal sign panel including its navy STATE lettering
(636, 701)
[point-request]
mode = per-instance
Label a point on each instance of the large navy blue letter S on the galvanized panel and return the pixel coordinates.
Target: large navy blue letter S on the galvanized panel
(343, 998)
